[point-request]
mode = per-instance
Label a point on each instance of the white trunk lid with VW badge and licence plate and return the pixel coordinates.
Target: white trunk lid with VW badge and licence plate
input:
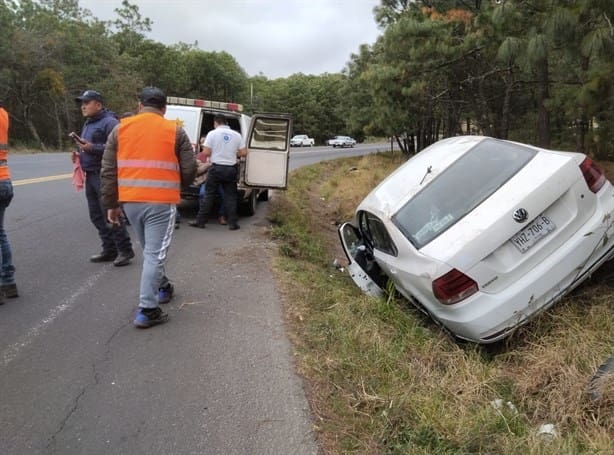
(520, 224)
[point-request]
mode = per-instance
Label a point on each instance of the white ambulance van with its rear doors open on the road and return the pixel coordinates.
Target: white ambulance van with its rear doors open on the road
(267, 137)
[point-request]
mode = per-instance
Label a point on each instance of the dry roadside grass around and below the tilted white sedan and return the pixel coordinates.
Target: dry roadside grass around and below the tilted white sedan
(382, 379)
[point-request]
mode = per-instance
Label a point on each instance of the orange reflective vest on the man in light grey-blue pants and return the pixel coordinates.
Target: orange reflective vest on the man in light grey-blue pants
(147, 166)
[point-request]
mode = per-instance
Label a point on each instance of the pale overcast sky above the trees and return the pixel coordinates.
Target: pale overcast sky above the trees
(274, 37)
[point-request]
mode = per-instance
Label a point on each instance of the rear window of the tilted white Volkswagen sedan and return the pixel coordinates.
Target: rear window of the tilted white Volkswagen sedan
(459, 189)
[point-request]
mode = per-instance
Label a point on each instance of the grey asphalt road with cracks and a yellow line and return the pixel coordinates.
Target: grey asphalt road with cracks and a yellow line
(77, 378)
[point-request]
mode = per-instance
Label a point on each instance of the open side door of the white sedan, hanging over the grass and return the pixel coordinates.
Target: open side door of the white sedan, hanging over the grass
(362, 265)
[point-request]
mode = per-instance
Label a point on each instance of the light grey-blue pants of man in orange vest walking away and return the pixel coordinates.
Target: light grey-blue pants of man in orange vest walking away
(153, 225)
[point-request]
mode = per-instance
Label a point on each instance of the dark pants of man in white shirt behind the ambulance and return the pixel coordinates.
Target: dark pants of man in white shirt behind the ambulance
(225, 177)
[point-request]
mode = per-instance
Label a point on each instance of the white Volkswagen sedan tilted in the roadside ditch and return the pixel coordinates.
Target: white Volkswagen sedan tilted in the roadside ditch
(482, 234)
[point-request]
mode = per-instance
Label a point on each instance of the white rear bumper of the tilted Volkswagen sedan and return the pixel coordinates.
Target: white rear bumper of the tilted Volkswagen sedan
(486, 318)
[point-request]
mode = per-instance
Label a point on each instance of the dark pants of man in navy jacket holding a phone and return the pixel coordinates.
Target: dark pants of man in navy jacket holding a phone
(113, 240)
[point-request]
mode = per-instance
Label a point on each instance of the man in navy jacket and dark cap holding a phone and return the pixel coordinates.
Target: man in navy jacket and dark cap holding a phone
(99, 122)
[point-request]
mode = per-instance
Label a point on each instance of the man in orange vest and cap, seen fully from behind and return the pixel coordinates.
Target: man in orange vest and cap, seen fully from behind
(146, 161)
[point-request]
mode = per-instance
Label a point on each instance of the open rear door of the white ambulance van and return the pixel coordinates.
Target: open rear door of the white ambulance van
(268, 145)
